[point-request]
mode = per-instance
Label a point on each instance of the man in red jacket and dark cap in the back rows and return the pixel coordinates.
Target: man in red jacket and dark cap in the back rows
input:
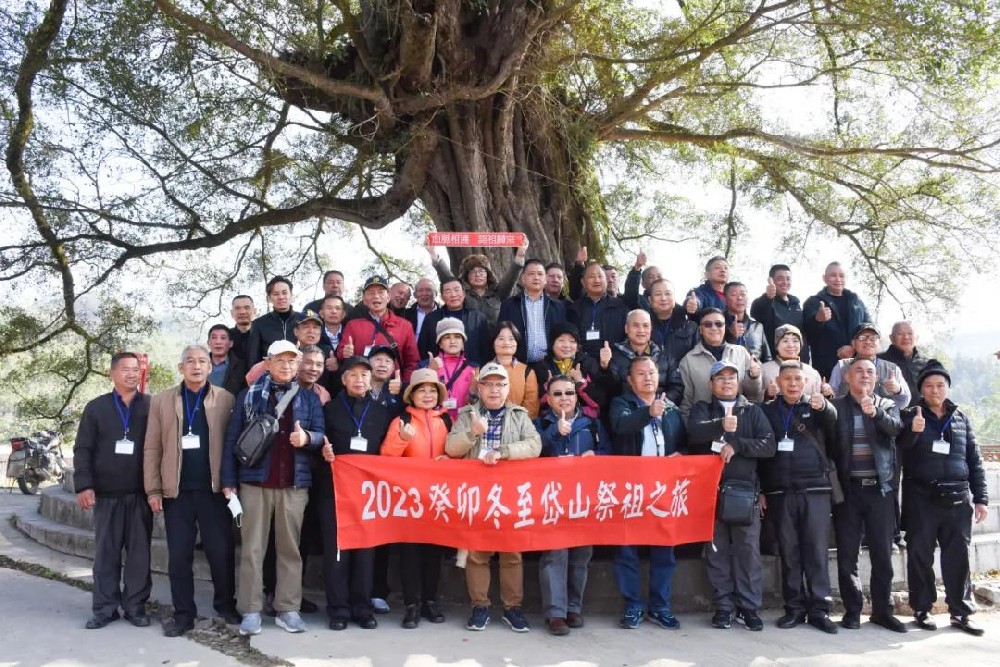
(378, 327)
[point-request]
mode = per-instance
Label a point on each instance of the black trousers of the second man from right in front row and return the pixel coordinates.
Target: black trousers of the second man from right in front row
(865, 511)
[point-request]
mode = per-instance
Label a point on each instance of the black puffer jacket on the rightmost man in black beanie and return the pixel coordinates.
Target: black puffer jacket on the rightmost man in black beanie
(964, 462)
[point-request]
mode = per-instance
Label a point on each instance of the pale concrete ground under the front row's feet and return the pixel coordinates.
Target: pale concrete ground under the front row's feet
(43, 625)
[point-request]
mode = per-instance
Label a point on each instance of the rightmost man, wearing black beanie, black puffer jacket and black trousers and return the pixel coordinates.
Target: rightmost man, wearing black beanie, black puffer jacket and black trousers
(941, 466)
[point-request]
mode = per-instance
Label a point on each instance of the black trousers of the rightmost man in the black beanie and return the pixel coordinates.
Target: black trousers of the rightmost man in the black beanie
(928, 525)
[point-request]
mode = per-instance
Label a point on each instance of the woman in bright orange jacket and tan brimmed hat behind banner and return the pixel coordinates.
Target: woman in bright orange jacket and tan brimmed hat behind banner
(420, 432)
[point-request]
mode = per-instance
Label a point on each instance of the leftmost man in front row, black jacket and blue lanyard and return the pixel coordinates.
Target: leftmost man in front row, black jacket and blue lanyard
(108, 478)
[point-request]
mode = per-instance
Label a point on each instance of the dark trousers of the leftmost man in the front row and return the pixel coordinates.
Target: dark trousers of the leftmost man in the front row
(121, 523)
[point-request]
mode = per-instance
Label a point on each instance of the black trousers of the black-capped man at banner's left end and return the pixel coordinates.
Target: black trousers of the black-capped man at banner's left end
(347, 574)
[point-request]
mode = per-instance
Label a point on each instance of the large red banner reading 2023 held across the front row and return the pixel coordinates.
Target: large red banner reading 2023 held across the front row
(528, 505)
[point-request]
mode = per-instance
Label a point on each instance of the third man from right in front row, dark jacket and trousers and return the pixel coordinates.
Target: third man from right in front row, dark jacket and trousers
(797, 492)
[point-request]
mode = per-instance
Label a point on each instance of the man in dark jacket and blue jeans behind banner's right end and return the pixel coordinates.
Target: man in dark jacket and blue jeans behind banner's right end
(646, 423)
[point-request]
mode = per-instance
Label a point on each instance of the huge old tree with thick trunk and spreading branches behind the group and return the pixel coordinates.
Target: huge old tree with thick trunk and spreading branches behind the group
(140, 134)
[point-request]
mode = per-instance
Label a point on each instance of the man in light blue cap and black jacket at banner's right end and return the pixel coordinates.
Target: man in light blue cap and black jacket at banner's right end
(740, 434)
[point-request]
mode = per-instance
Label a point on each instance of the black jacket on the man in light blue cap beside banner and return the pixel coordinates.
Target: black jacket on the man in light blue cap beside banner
(753, 439)
